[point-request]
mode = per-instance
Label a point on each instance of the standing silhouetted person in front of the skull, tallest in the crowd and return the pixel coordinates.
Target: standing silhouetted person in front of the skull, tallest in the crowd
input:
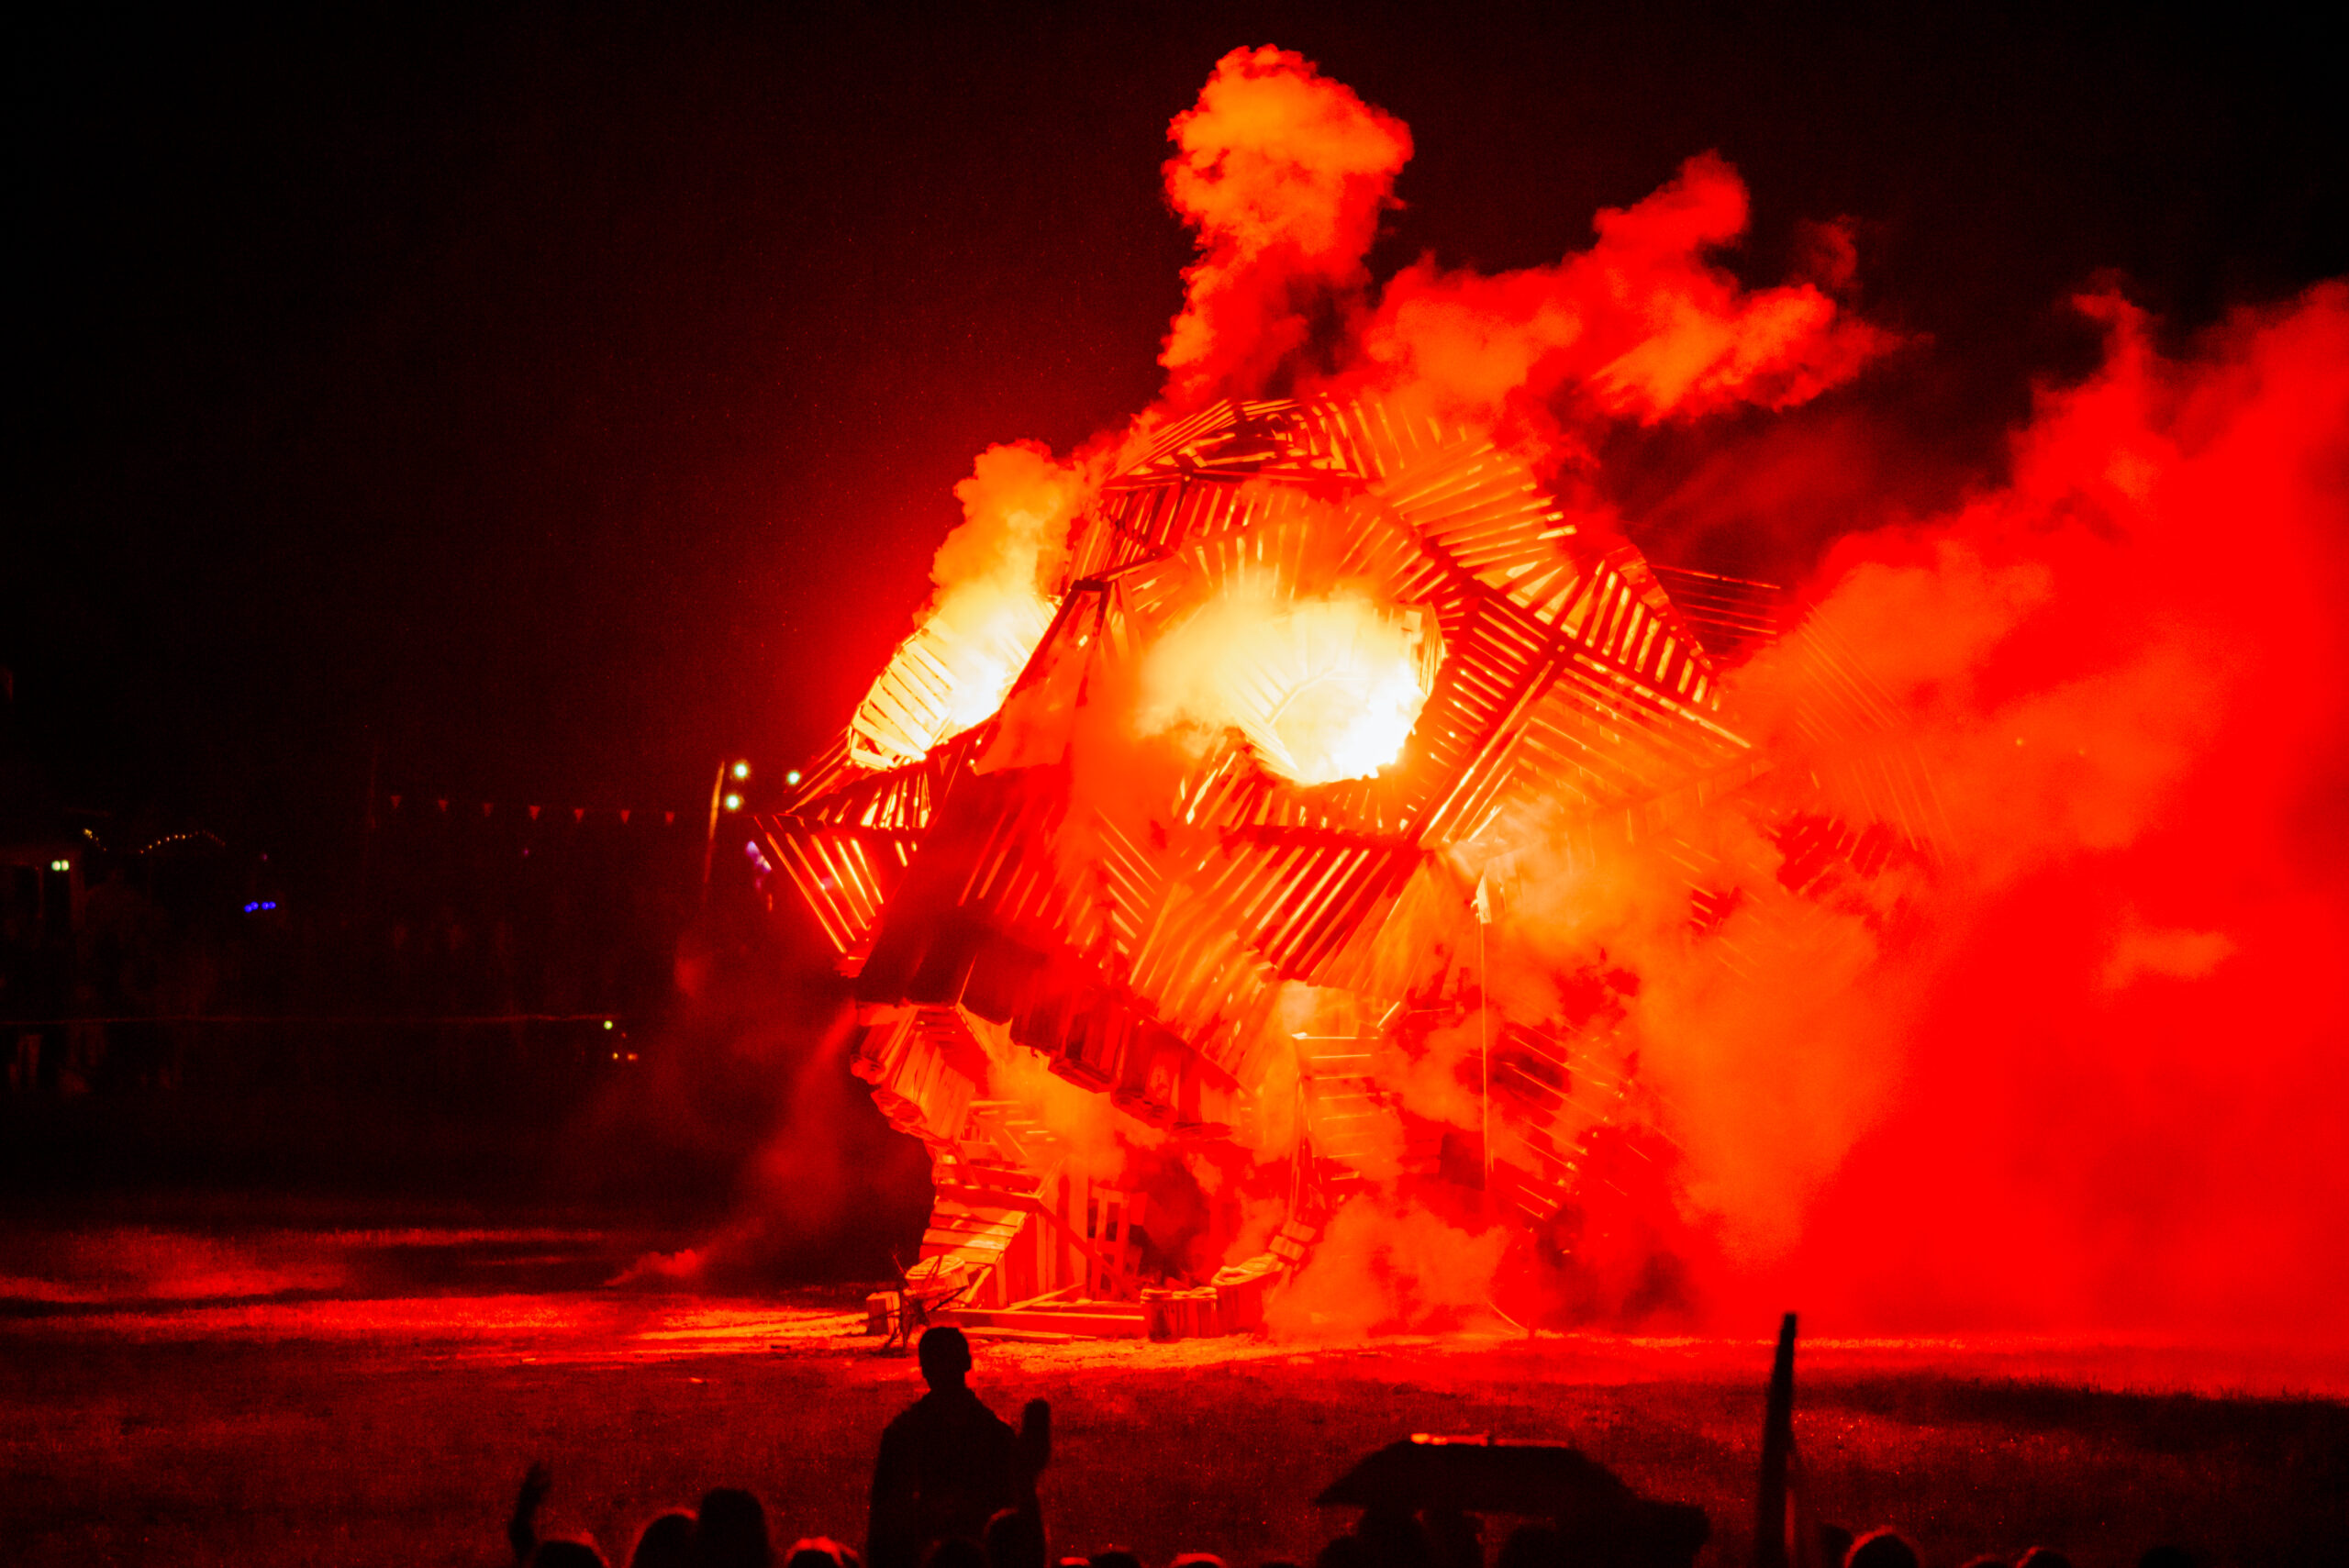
(948, 1464)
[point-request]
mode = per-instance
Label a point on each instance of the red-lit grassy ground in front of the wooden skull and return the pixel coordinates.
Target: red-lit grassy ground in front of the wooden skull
(372, 1395)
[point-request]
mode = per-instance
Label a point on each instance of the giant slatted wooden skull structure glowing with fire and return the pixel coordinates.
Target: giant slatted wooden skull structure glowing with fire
(1216, 940)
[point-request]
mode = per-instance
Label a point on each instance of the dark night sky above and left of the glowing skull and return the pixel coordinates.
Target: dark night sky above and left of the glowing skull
(560, 403)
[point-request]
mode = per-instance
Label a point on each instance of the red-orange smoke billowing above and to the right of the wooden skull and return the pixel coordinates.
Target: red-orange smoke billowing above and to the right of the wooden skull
(2073, 1050)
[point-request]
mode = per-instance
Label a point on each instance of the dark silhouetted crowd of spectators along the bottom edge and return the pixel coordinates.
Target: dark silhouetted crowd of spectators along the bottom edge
(955, 1487)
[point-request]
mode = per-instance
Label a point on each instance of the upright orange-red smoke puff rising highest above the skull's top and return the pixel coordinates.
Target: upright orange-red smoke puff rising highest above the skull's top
(1284, 175)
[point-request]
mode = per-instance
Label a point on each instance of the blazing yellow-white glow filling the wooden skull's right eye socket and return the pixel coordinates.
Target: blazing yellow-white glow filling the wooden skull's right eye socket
(1324, 689)
